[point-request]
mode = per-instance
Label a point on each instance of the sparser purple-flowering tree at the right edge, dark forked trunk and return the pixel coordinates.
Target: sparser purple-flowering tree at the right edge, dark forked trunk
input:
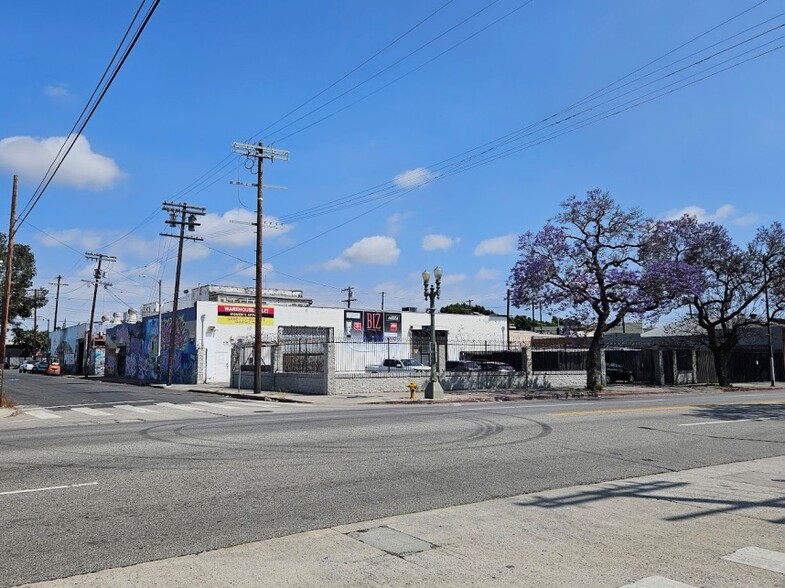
(734, 279)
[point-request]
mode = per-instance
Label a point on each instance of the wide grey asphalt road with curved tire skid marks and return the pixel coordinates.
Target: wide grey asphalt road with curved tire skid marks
(91, 496)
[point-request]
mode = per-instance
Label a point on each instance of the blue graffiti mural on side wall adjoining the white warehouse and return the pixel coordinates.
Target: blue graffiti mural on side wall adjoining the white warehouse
(131, 349)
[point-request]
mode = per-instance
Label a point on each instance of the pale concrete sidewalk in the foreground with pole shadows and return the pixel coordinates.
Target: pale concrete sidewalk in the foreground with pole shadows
(717, 527)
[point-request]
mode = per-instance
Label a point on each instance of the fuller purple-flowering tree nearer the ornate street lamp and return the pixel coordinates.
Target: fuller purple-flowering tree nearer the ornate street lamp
(592, 262)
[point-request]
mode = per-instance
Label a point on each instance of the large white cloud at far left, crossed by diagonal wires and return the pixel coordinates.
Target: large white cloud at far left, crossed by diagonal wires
(30, 157)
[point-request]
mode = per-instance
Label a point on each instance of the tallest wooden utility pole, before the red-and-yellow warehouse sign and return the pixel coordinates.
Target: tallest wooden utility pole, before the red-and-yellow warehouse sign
(259, 153)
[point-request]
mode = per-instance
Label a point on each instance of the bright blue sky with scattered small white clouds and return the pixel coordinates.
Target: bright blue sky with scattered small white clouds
(206, 74)
